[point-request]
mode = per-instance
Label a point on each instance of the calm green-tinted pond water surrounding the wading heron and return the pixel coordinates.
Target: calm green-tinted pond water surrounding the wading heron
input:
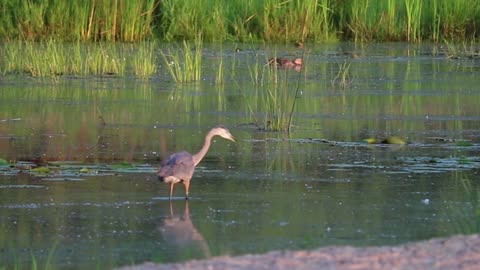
(77, 194)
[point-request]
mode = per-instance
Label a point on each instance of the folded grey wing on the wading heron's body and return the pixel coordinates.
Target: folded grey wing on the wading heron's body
(179, 165)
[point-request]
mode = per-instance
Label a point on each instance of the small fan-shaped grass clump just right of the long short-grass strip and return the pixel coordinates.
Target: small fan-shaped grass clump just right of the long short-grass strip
(184, 63)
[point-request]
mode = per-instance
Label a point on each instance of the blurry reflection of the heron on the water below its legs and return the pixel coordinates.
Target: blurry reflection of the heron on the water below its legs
(183, 239)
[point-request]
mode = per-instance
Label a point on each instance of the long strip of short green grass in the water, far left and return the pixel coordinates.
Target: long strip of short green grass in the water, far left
(51, 59)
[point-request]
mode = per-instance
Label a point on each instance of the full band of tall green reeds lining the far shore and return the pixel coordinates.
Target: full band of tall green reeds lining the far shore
(242, 21)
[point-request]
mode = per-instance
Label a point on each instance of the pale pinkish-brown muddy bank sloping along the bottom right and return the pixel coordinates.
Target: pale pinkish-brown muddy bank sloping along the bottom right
(456, 252)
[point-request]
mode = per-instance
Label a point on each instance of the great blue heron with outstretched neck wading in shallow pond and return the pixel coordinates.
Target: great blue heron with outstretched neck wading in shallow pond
(179, 167)
